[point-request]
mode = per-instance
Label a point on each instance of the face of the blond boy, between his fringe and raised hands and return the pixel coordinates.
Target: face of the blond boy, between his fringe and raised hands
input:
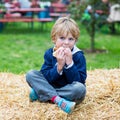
(65, 41)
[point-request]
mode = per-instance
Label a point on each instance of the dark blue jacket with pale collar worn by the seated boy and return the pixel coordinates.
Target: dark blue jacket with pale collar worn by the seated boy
(77, 72)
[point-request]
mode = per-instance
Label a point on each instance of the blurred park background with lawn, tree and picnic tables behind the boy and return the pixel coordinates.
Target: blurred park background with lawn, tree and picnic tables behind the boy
(25, 27)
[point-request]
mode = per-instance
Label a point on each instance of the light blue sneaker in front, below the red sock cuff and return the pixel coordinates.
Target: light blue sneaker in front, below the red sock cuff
(65, 105)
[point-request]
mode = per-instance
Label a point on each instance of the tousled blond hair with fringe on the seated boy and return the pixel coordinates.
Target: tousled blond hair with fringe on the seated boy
(64, 26)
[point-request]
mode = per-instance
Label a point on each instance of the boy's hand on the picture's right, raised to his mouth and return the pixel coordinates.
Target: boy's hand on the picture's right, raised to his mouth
(68, 56)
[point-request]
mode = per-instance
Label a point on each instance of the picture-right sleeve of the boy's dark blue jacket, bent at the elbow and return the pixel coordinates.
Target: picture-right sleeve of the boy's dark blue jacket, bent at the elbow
(78, 71)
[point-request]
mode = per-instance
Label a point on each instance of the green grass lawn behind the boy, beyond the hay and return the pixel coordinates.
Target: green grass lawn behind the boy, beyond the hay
(22, 49)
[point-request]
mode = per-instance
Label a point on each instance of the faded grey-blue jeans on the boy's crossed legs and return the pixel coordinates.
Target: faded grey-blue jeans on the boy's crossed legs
(45, 91)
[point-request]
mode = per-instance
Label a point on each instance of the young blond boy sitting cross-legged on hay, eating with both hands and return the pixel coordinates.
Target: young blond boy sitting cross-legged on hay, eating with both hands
(63, 73)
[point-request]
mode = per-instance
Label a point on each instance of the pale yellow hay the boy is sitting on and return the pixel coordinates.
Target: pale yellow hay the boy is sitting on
(101, 103)
